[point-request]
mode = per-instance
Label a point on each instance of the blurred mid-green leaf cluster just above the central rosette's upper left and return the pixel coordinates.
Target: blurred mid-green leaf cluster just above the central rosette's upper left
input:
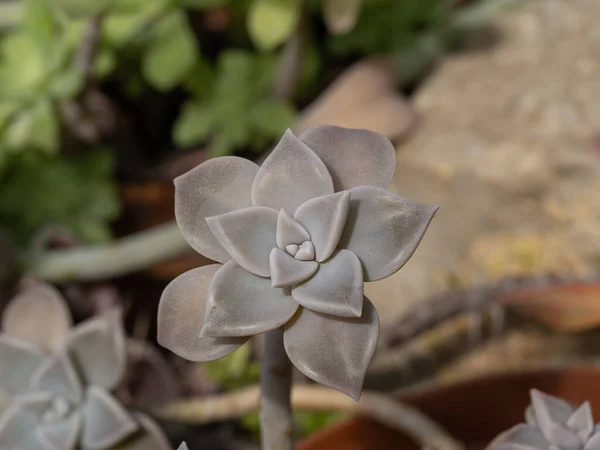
(237, 111)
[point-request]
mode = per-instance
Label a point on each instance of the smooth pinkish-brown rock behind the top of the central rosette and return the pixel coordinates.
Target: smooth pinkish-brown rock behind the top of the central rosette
(365, 96)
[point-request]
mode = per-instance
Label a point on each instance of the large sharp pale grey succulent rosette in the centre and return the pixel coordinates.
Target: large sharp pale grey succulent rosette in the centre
(296, 239)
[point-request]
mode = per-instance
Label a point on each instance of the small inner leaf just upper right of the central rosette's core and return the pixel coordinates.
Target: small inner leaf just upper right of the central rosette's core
(324, 218)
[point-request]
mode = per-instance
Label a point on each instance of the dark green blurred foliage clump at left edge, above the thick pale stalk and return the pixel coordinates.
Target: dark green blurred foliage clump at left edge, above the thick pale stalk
(77, 194)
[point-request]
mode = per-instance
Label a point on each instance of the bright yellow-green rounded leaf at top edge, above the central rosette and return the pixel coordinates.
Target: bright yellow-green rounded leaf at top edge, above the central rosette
(272, 22)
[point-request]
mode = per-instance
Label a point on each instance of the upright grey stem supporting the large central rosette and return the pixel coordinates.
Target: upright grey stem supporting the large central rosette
(275, 399)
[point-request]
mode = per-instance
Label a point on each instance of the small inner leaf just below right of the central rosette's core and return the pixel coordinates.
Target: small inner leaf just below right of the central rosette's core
(337, 288)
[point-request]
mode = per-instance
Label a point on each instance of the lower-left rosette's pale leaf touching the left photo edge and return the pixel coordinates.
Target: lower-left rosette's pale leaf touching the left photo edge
(15, 378)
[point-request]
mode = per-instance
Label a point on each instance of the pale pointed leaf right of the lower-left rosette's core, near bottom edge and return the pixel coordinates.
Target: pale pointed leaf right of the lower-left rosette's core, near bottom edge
(105, 421)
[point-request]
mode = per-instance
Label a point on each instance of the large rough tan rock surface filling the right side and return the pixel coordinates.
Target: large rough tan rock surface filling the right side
(506, 146)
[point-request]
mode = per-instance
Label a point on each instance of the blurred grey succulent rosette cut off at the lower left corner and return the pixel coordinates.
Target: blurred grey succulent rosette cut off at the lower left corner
(55, 380)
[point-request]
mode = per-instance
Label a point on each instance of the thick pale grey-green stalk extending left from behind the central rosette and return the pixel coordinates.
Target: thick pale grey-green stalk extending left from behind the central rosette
(127, 255)
